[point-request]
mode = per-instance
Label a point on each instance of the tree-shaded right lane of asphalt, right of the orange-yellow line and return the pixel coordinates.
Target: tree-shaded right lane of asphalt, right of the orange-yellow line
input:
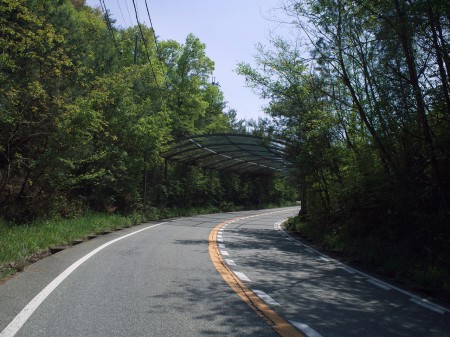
(320, 293)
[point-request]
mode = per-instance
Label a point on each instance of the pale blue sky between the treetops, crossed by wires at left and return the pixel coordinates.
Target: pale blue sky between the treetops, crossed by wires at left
(230, 29)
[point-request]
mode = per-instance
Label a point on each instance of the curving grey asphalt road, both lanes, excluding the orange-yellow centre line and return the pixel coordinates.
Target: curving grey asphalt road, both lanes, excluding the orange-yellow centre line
(157, 279)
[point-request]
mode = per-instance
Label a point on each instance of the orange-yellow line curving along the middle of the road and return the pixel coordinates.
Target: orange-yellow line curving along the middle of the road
(279, 324)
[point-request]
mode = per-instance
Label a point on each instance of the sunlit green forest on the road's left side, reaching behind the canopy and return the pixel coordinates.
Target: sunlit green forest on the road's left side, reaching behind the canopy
(86, 109)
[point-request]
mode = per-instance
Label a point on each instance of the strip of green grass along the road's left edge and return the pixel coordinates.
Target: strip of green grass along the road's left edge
(21, 245)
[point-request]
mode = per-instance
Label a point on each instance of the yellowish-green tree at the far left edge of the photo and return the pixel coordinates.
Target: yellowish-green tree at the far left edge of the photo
(34, 64)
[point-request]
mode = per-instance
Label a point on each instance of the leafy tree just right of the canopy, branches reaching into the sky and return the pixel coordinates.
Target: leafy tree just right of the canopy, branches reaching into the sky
(300, 116)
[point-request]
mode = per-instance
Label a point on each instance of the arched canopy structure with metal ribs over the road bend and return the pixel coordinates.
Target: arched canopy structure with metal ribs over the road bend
(230, 152)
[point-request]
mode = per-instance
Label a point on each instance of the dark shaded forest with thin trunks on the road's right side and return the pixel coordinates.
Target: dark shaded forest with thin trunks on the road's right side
(361, 92)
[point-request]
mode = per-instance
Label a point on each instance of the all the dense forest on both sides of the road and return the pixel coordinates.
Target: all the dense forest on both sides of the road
(359, 91)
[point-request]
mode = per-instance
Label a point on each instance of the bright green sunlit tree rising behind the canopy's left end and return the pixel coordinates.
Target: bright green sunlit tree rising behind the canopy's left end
(194, 100)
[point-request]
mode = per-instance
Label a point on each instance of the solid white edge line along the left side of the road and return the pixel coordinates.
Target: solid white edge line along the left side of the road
(26, 312)
